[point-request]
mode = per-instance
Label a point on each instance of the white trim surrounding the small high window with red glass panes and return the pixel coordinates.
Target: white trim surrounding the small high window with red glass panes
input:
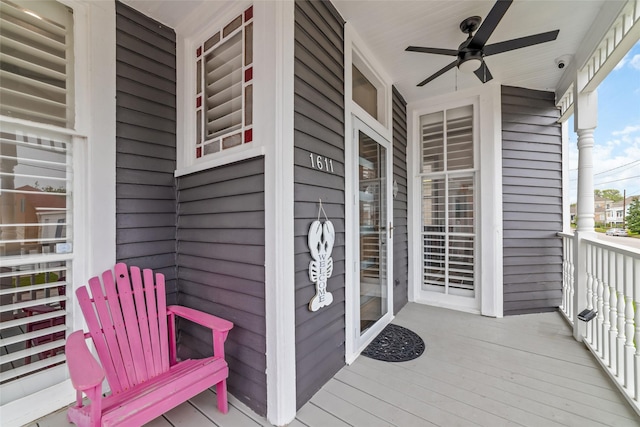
(190, 34)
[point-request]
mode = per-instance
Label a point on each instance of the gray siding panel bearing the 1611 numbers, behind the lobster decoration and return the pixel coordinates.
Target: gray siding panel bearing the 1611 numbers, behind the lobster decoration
(318, 129)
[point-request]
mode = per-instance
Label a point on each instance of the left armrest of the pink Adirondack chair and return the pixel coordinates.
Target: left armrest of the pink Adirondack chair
(84, 370)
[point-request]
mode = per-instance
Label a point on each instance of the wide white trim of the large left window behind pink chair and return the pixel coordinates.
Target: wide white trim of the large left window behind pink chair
(94, 223)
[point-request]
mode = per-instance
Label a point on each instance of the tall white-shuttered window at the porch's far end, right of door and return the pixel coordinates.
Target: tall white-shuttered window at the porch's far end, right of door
(448, 201)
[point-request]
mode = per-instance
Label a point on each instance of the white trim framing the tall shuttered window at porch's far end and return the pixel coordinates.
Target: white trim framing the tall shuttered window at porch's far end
(489, 269)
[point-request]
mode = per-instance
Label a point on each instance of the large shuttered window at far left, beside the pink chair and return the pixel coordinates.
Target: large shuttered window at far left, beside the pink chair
(35, 193)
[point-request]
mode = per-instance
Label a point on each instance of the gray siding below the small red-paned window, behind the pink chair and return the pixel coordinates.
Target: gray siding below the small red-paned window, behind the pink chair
(220, 258)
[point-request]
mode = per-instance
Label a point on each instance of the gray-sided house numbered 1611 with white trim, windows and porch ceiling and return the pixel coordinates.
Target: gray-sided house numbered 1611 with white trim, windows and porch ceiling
(202, 139)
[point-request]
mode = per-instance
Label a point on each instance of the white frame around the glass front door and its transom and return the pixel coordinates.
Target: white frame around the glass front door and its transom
(354, 45)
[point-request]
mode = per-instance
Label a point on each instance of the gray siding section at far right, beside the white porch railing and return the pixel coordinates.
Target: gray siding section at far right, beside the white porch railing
(532, 201)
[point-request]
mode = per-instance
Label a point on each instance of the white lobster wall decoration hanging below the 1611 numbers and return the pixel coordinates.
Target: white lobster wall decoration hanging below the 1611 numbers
(320, 241)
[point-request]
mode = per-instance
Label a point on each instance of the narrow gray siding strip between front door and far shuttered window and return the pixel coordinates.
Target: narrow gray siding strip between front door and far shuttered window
(400, 231)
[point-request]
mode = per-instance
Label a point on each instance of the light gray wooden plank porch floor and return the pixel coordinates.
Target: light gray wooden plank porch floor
(521, 370)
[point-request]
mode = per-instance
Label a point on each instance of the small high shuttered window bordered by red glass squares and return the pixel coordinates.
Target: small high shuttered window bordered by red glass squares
(224, 87)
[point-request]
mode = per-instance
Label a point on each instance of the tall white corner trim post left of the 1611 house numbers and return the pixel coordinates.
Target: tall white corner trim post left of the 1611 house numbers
(274, 35)
